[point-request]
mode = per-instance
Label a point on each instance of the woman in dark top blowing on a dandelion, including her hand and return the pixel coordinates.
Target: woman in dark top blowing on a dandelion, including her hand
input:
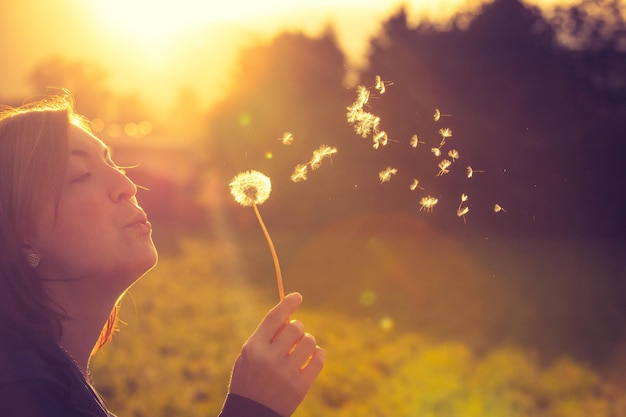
(73, 239)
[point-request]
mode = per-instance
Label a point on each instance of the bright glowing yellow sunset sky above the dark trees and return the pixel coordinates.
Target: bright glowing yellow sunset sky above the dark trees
(156, 48)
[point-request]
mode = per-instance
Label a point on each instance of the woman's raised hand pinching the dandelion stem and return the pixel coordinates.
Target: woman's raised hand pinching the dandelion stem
(279, 362)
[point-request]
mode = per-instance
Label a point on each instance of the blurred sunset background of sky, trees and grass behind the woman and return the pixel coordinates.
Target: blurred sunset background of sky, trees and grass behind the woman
(515, 308)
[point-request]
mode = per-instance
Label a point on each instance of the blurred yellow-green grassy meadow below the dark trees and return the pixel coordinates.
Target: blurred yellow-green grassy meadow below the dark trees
(414, 323)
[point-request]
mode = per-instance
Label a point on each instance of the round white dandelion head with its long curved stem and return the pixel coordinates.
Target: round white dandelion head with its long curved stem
(252, 188)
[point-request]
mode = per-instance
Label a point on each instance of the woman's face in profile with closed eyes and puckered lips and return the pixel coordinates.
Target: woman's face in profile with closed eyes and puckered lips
(97, 233)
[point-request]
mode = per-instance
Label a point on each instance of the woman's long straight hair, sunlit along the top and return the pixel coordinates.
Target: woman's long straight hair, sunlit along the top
(33, 160)
